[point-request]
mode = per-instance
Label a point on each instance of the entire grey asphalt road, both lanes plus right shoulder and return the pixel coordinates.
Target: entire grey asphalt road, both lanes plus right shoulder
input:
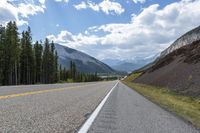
(64, 108)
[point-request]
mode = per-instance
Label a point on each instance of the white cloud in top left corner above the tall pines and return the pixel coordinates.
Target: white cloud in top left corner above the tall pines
(19, 12)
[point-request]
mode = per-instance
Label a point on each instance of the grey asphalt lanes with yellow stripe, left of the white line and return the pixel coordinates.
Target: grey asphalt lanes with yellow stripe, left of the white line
(57, 108)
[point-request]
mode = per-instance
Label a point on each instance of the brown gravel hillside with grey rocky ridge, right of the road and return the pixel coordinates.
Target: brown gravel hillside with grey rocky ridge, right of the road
(179, 70)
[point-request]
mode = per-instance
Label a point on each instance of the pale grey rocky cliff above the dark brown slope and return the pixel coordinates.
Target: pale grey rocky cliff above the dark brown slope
(186, 39)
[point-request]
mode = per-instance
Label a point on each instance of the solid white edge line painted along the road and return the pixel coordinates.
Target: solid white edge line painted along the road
(86, 126)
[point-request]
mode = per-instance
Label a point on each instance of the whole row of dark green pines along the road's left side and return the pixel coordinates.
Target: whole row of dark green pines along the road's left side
(22, 62)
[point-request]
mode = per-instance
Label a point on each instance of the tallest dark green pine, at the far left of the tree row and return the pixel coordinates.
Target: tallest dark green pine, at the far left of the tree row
(10, 57)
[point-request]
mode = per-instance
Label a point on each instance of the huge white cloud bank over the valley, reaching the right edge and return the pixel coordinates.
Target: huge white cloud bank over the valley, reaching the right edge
(147, 33)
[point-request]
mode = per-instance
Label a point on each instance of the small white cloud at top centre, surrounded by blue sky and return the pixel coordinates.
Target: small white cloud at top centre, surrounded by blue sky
(105, 6)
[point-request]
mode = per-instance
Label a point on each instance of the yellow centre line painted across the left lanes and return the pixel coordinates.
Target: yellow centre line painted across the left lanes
(38, 92)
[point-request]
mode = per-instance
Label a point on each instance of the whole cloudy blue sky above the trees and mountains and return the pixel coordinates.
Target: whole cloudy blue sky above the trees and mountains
(105, 29)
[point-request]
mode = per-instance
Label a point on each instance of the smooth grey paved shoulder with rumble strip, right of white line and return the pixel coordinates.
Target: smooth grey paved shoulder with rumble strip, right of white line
(126, 111)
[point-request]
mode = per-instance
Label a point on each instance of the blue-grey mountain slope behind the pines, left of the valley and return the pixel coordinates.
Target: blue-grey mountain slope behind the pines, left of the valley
(84, 62)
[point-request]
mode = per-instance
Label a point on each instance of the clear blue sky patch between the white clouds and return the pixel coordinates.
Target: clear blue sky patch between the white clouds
(62, 15)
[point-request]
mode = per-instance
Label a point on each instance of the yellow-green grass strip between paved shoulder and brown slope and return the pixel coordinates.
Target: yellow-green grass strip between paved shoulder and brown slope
(184, 106)
